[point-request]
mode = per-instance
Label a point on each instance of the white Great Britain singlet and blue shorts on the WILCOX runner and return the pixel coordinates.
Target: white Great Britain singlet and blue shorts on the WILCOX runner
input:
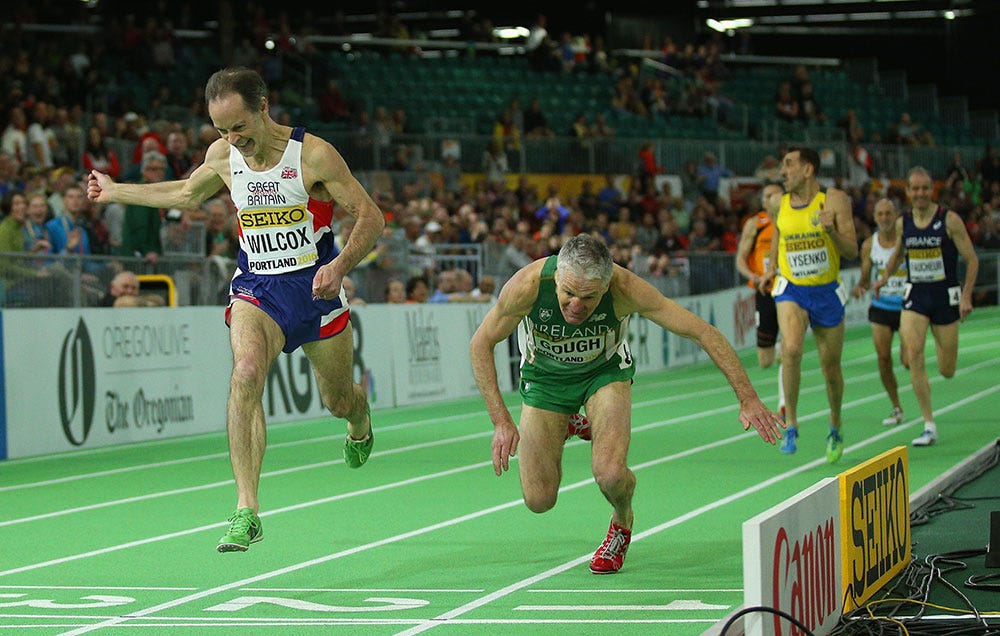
(285, 236)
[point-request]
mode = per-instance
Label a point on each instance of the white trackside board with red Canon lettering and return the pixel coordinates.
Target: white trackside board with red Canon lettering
(791, 562)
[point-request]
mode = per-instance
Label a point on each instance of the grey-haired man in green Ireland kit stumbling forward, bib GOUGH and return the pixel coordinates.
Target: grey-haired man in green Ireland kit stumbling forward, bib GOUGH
(572, 312)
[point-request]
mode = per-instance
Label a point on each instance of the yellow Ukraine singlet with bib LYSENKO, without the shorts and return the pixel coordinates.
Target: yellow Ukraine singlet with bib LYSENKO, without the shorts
(806, 253)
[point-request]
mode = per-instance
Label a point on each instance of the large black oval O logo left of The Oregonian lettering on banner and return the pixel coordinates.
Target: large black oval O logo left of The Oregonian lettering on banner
(77, 384)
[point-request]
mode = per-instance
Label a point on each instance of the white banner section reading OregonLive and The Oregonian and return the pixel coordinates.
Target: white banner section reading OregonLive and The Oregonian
(78, 378)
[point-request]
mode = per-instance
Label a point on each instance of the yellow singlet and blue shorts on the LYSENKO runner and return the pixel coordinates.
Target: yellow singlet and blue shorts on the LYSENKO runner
(809, 263)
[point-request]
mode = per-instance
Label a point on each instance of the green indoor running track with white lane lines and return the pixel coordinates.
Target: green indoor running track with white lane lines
(425, 538)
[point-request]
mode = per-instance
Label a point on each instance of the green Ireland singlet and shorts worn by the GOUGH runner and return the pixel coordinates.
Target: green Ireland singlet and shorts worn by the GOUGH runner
(562, 365)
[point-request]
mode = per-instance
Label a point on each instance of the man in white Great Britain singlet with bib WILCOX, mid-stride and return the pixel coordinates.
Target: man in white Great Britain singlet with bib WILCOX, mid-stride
(286, 292)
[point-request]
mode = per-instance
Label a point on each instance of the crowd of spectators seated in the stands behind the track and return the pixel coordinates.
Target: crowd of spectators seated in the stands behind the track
(49, 142)
